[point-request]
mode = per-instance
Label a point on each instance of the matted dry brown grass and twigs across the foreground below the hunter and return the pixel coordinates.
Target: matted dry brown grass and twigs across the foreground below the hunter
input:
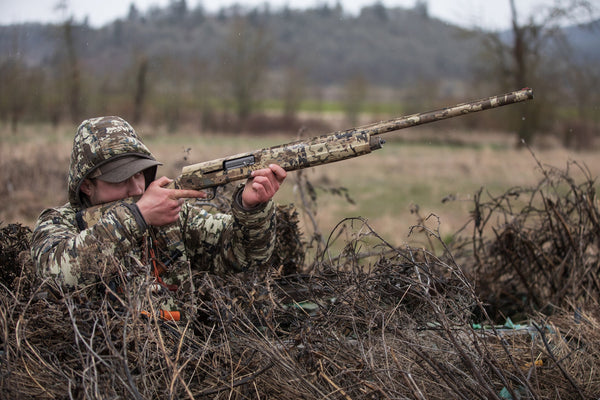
(401, 329)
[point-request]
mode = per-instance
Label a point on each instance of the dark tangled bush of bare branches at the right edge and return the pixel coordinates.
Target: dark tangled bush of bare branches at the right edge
(536, 249)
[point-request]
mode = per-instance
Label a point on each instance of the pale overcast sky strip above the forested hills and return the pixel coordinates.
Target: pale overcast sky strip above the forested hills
(488, 14)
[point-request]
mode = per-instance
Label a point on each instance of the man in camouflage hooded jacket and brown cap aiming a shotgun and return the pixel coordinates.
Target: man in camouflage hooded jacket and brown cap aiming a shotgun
(161, 231)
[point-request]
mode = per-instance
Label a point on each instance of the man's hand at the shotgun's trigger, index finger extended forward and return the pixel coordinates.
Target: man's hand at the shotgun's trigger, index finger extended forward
(160, 205)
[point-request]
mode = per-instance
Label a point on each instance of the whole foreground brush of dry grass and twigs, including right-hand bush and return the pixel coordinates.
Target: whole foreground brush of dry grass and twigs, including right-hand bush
(375, 321)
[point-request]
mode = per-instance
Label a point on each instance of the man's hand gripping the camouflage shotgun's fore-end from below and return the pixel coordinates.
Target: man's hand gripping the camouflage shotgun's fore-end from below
(263, 185)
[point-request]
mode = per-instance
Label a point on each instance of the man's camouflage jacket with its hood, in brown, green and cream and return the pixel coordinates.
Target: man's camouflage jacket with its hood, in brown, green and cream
(119, 243)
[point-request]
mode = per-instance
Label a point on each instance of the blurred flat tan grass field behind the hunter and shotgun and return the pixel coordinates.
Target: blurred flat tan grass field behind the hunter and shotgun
(431, 169)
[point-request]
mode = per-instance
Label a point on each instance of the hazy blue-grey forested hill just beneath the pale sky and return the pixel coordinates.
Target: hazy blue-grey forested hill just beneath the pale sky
(395, 47)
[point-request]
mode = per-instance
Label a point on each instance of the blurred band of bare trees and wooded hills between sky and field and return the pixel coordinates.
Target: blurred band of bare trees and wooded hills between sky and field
(176, 64)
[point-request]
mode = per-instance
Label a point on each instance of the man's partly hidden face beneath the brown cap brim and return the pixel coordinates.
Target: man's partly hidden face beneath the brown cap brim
(104, 192)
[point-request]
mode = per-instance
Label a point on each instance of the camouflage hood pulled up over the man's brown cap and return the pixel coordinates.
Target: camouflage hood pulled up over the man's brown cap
(97, 141)
